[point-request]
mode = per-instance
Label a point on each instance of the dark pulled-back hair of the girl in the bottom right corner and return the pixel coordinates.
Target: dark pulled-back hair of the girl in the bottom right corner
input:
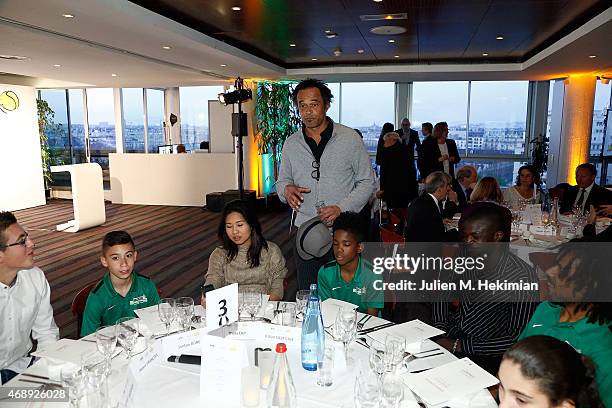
(560, 371)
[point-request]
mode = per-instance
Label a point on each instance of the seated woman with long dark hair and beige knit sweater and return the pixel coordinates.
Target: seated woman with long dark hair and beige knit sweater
(245, 256)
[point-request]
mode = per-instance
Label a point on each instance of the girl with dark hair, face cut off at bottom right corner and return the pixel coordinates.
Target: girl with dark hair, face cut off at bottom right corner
(543, 372)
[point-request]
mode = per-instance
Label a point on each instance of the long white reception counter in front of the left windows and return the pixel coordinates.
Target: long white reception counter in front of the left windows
(170, 179)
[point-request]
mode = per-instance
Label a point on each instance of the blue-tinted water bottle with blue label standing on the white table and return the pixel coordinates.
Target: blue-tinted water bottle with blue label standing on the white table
(313, 336)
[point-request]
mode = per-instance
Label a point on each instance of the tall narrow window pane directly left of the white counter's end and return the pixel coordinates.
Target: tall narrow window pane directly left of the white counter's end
(101, 119)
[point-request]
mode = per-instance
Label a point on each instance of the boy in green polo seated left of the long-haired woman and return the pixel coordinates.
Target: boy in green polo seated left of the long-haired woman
(121, 291)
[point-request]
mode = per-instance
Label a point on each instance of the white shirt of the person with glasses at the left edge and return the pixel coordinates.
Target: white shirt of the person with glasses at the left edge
(25, 308)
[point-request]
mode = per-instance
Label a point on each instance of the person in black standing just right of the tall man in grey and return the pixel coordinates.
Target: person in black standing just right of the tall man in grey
(398, 175)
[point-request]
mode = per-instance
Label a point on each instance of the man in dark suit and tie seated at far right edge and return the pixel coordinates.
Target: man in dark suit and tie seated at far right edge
(586, 192)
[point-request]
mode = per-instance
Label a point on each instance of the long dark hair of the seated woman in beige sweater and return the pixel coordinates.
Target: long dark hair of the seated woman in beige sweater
(257, 240)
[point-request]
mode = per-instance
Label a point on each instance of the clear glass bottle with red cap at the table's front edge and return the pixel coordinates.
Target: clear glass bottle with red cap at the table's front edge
(281, 391)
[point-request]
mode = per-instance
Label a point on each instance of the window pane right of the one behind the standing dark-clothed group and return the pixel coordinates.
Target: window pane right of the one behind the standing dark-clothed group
(498, 116)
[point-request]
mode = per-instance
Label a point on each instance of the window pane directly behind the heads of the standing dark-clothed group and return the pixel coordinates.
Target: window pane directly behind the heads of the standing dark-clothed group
(444, 101)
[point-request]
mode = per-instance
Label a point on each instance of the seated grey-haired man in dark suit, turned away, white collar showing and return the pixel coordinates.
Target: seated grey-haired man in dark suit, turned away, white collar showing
(424, 221)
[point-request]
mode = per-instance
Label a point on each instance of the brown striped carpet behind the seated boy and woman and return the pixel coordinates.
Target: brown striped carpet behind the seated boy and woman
(173, 244)
